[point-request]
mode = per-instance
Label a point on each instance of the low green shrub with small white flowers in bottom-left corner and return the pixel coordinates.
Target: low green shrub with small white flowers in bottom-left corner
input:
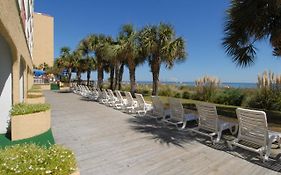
(31, 159)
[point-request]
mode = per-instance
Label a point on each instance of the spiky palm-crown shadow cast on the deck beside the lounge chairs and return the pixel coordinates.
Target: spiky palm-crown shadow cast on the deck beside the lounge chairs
(159, 132)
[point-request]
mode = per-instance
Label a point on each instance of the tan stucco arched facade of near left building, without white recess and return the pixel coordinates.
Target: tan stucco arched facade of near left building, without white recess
(12, 30)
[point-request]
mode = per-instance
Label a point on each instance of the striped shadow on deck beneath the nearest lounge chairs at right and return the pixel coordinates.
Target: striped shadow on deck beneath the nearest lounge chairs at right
(273, 163)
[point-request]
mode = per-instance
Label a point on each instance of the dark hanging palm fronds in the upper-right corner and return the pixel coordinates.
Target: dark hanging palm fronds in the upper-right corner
(249, 21)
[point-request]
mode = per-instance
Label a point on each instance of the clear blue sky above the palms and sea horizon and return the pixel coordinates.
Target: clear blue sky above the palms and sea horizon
(200, 22)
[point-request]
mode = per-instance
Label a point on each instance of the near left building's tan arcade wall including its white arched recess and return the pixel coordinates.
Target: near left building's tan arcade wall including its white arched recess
(14, 49)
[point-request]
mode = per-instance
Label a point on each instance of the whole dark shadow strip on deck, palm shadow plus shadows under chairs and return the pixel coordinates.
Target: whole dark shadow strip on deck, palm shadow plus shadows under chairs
(170, 135)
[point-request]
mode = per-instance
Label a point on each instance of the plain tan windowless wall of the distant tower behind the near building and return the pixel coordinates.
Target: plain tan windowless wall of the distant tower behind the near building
(43, 50)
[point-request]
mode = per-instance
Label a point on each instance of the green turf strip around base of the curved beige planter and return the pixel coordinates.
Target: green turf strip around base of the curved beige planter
(44, 139)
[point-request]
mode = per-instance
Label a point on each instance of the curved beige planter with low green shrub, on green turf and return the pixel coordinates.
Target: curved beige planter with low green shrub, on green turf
(28, 120)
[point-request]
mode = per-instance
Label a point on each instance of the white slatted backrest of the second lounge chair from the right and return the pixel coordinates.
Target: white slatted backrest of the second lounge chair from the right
(208, 117)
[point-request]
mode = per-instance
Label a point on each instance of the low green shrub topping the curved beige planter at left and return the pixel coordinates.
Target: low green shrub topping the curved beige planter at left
(23, 108)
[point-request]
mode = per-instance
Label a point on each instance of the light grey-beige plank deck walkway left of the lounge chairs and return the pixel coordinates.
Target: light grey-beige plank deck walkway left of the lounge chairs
(107, 141)
